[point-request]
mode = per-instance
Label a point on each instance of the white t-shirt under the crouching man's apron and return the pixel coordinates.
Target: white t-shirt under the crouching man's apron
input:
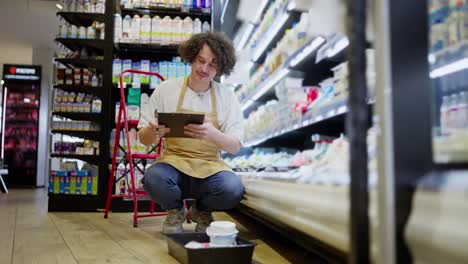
(166, 96)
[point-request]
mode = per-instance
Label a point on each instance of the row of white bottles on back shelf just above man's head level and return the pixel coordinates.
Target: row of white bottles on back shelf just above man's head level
(156, 30)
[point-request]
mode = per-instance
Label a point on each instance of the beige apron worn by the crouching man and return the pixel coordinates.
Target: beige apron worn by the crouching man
(194, 157)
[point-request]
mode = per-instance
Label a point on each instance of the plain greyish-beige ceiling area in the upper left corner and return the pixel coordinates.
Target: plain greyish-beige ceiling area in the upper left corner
(28, 22)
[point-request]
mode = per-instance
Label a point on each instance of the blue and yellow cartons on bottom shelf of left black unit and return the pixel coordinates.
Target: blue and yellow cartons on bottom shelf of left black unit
(82, 182)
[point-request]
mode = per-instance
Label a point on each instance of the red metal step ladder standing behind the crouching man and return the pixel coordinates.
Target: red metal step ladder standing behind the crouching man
(134, 193)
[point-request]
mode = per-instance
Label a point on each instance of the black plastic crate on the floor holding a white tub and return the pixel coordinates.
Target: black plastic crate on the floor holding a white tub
(240, 254)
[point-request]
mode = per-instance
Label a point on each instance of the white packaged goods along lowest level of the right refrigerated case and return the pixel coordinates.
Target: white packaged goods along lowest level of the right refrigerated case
(326, 163)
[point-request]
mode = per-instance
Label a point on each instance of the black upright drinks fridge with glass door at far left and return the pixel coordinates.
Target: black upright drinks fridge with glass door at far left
(19, 123)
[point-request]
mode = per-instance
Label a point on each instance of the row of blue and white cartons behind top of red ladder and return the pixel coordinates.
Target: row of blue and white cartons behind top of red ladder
(168, 69)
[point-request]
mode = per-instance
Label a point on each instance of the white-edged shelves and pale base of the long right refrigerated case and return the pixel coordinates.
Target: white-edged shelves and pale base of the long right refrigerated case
(282, 203)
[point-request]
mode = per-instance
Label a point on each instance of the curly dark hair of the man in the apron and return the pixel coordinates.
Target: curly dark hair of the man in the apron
(219, 44)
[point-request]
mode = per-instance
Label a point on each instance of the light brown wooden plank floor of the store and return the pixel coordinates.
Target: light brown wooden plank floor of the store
(29, 234)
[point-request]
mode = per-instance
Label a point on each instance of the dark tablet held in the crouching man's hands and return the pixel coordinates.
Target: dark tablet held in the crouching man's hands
(177, 121)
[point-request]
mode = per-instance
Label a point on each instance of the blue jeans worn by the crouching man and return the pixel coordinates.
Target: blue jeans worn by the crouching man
(168, 187)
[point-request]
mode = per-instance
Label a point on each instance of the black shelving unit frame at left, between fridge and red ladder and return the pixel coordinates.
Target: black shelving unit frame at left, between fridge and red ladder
(102, 62)
